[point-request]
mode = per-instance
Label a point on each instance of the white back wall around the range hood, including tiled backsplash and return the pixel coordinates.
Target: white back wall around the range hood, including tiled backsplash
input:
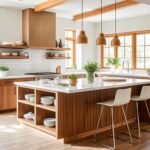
(11, 30)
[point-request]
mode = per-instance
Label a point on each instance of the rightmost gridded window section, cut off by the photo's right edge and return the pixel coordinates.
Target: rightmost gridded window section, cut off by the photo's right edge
(143, 51)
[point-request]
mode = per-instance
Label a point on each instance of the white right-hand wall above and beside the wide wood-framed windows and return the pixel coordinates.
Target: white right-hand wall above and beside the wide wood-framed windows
(126, 25)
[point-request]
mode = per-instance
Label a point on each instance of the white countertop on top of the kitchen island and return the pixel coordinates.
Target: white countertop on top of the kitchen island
(83, 85)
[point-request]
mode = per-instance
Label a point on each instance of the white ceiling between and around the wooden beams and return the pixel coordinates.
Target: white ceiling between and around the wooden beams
(72, 7)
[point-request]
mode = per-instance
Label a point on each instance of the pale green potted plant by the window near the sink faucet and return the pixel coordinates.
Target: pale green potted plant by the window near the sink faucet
(114, 63)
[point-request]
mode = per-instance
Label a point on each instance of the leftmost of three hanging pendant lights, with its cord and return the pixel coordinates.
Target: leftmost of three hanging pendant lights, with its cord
(82, 38)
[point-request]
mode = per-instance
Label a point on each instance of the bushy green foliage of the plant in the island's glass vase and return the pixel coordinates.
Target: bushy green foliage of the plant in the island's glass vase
(91, 67)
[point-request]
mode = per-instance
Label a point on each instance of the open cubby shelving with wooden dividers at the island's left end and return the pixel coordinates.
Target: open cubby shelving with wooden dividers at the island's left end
(40, 111)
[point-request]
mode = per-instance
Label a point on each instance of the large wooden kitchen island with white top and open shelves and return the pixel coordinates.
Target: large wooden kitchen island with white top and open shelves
(75, 111)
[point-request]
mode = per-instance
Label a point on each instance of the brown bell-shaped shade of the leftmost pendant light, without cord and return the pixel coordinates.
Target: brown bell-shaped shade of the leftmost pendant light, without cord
(82, 38)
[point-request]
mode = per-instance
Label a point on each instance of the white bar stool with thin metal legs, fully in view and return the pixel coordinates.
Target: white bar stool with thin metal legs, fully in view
(122, 98)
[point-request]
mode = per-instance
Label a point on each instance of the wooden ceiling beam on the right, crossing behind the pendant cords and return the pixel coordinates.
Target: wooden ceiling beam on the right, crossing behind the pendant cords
(106, 9)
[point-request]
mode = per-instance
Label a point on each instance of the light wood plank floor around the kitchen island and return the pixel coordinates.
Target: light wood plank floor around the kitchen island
(16, 136)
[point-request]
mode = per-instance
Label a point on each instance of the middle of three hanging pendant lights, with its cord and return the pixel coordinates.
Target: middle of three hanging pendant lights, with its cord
(101, 39)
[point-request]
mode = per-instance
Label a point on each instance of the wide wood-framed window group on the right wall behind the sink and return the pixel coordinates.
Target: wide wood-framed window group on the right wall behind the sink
(135, 47)
